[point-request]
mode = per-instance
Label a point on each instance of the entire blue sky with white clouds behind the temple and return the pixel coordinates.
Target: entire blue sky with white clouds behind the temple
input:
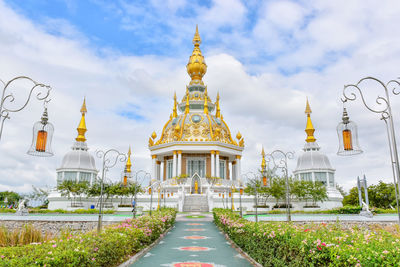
(264, 58)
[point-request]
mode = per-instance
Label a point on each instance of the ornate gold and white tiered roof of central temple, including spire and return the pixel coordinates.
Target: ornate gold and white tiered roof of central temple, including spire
(196, 117)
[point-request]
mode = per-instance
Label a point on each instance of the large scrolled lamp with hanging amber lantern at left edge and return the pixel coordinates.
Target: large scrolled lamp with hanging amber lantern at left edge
(43, 130)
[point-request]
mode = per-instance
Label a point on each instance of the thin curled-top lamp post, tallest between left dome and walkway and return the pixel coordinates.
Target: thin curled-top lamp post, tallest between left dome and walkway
(107, 164)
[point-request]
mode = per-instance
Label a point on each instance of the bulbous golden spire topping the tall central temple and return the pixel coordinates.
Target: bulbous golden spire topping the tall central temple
(196, 67)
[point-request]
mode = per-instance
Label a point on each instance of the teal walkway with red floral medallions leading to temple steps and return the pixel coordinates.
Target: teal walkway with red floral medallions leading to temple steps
(193, 242)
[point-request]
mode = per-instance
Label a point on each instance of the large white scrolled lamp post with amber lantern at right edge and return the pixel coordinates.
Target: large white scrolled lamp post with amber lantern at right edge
(348, 138)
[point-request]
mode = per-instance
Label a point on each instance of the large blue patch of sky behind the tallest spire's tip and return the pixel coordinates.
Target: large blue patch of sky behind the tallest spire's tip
(157, 28)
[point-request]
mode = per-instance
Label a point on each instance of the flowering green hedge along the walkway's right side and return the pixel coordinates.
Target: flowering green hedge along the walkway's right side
(287, 244)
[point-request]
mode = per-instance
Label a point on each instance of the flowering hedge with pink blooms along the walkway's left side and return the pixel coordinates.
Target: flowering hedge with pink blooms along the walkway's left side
(115, 244)
